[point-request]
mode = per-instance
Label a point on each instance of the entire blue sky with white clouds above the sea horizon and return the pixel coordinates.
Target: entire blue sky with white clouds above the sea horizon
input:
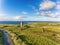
(30, 10)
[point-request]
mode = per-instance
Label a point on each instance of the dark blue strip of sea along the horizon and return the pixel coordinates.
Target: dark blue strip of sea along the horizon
(17, 22)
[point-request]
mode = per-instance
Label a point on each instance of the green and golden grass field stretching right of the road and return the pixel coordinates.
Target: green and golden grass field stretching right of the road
(38, 33)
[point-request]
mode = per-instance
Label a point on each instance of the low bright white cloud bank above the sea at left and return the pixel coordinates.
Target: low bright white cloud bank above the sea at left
(6, 17)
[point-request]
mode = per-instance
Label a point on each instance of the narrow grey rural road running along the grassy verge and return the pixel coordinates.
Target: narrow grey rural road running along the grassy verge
(7, 38)
